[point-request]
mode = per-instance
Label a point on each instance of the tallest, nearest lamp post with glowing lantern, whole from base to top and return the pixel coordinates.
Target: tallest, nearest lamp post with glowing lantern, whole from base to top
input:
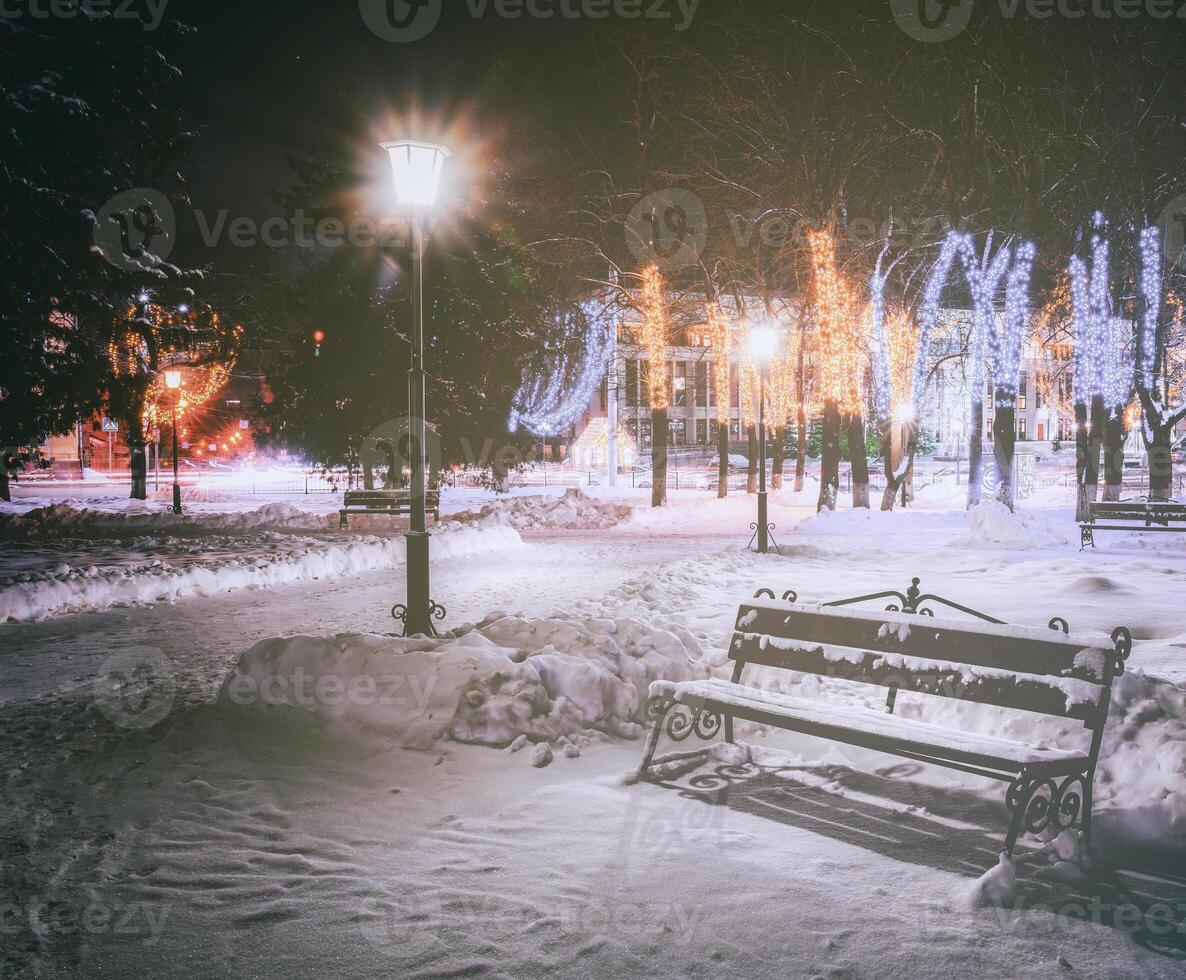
(417, 168)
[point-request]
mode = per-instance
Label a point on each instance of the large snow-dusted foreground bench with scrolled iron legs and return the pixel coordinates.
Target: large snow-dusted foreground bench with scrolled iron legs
(906, 650)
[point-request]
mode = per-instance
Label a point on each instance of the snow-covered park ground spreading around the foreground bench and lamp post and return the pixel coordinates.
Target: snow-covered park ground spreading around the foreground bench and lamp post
(221, 761)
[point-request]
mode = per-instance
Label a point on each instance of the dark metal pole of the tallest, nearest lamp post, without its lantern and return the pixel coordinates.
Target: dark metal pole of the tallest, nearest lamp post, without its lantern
(418, 616)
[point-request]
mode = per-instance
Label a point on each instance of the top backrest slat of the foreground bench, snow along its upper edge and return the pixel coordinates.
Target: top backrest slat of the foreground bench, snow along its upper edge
(1016, 650)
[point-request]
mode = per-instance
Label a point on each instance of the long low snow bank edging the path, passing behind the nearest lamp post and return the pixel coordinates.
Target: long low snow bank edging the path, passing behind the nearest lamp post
(76, 589)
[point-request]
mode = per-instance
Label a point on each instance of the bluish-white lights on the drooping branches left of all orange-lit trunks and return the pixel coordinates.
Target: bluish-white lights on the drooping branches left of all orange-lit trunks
(552, 403)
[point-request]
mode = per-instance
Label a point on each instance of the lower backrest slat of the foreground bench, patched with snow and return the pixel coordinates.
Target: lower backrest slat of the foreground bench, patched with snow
(1064, 697)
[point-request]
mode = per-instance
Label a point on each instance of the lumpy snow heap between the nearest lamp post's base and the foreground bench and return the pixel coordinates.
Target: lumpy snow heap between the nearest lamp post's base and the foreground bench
(511, 679)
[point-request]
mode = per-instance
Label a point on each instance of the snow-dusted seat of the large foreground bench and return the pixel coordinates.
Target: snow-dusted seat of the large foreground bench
(866, 728)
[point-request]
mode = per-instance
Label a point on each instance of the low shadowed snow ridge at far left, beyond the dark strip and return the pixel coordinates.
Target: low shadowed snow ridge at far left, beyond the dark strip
(62, 520)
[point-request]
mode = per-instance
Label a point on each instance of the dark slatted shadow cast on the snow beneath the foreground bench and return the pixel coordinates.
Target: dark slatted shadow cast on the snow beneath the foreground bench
(957, 832)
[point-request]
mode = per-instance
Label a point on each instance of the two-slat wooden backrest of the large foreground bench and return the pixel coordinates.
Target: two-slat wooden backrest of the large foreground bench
(1002, 665)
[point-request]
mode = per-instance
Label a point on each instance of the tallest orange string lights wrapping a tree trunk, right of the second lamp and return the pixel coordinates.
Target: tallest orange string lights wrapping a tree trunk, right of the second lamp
(841, 352)
